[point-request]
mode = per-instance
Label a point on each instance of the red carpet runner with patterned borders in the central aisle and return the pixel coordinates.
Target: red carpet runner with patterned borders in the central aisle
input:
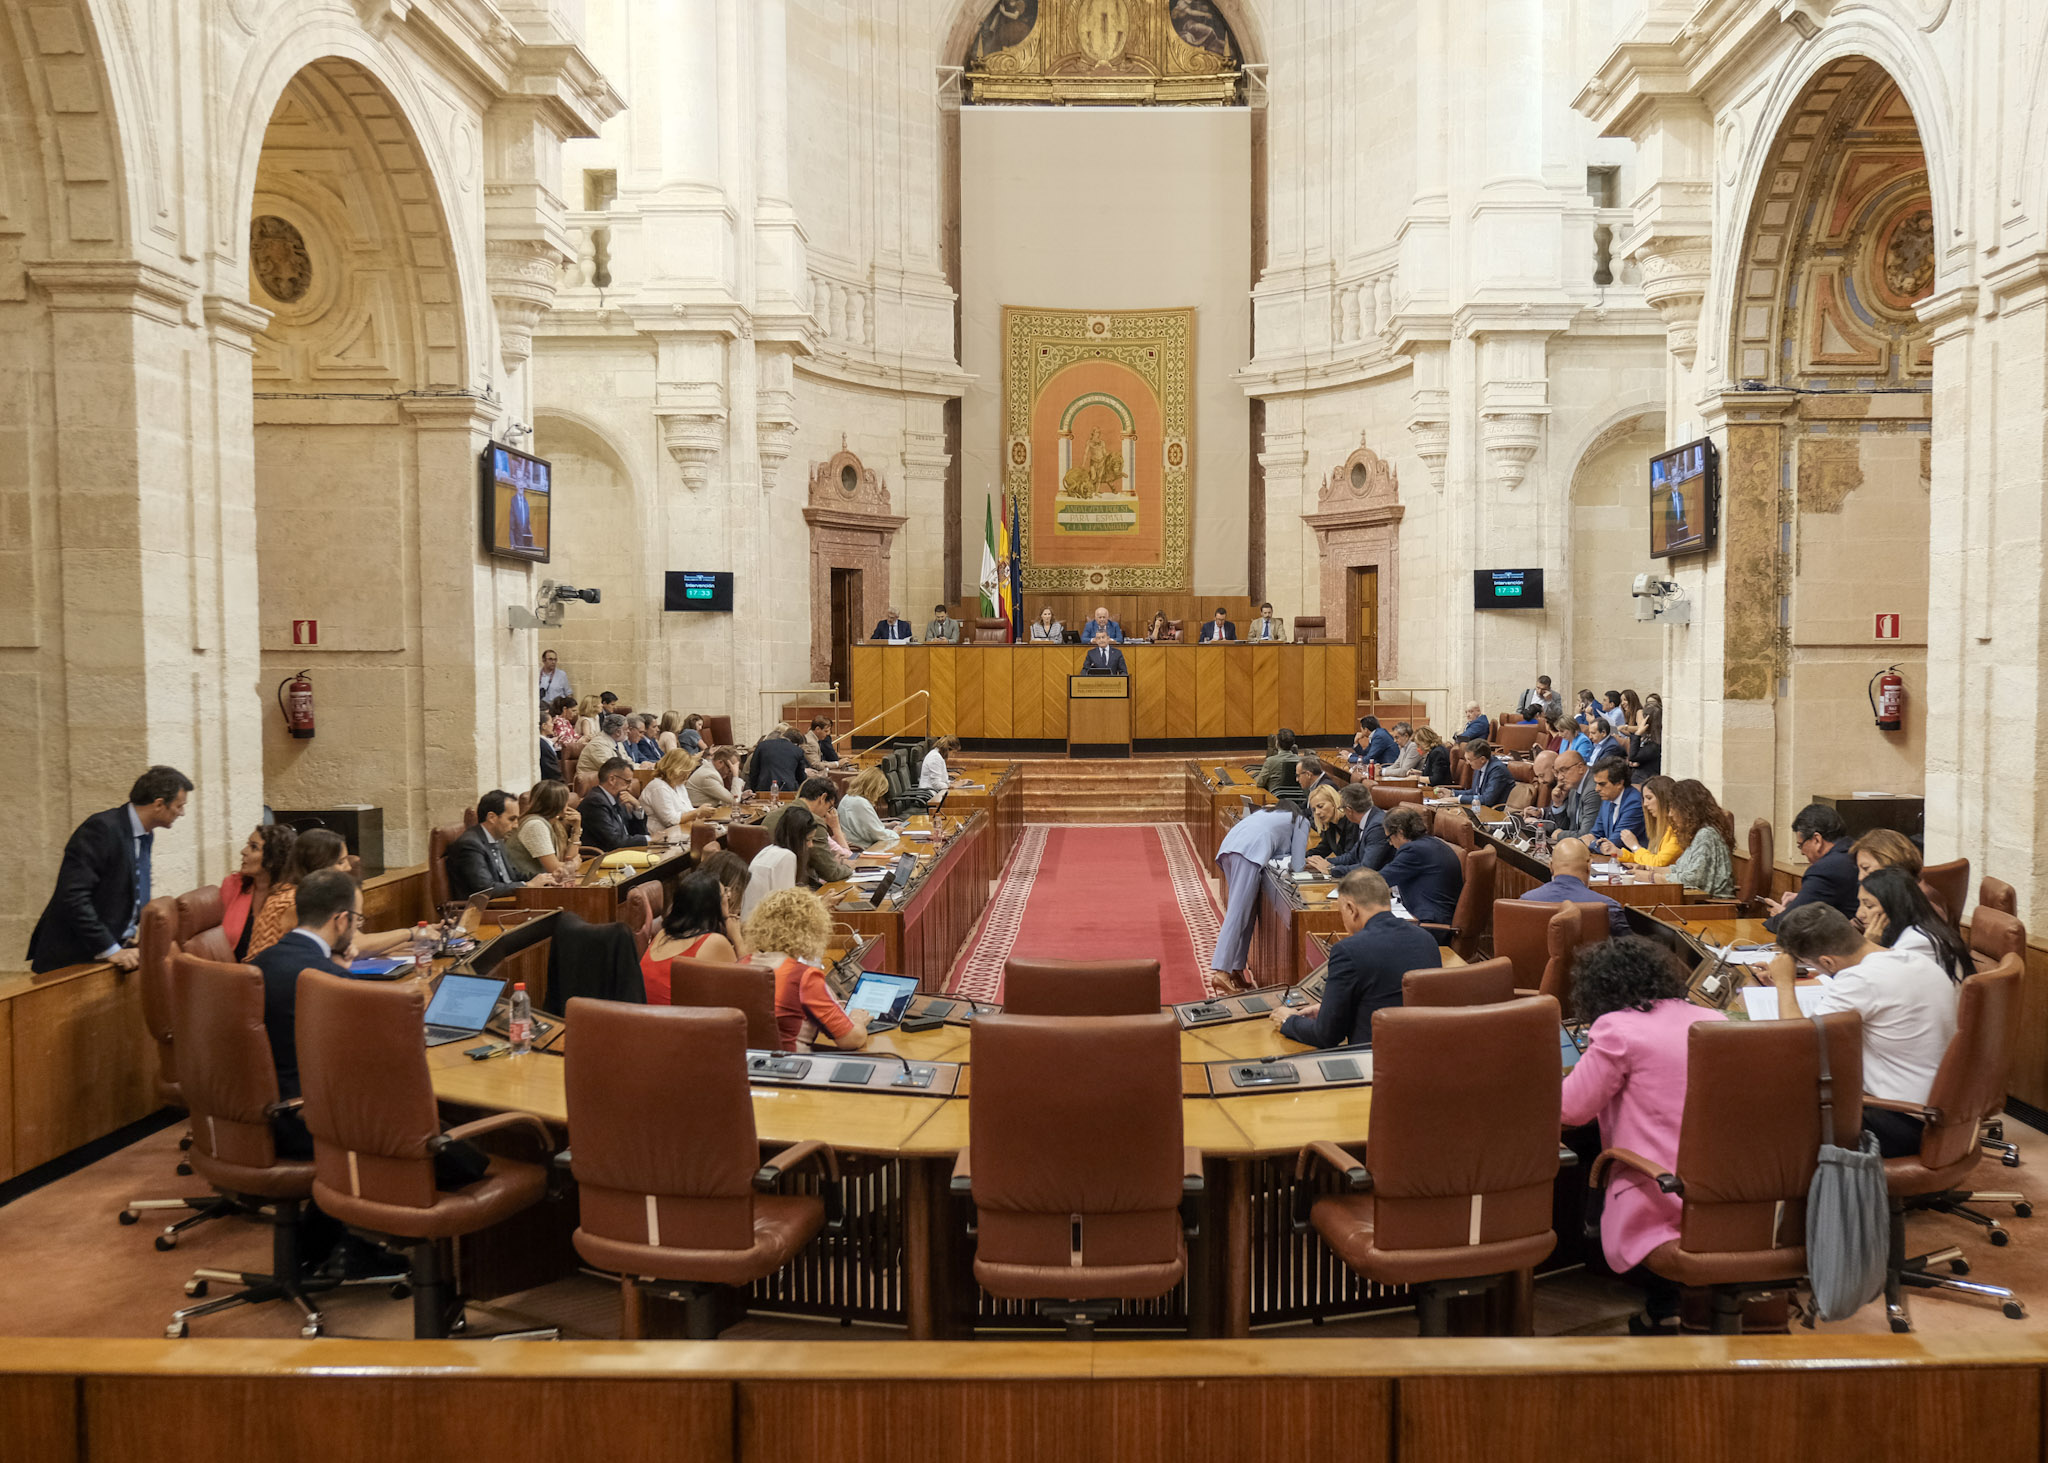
(1101, 892)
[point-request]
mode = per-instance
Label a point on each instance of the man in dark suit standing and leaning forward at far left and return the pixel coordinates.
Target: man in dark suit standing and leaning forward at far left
(105, 878)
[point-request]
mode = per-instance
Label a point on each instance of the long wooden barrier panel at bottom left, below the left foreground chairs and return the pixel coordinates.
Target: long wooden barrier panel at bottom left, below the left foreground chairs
(380, 1419)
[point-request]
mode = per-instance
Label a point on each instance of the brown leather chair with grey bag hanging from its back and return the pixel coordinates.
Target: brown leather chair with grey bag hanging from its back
(1746, 1153)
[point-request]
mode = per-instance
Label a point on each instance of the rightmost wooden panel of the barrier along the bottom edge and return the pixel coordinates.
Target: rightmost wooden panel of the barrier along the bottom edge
(1762, 1415)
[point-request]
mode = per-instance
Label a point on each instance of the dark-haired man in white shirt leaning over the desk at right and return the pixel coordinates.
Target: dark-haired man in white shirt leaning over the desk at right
(1906, 999)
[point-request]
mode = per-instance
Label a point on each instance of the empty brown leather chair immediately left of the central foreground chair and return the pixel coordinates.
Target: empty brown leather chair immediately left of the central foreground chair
(669, 1167)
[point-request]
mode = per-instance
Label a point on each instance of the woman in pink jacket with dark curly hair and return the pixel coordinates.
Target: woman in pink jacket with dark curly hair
(1633, 1081)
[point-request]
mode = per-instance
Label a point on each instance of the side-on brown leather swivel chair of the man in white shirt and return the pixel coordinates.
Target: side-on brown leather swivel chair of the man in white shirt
(1969, 1087)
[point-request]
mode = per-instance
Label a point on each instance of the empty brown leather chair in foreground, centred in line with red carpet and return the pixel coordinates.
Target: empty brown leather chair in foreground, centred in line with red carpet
(1078, 1185)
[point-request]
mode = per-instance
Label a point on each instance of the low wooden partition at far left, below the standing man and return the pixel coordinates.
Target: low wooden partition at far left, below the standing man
(83, 1064)
